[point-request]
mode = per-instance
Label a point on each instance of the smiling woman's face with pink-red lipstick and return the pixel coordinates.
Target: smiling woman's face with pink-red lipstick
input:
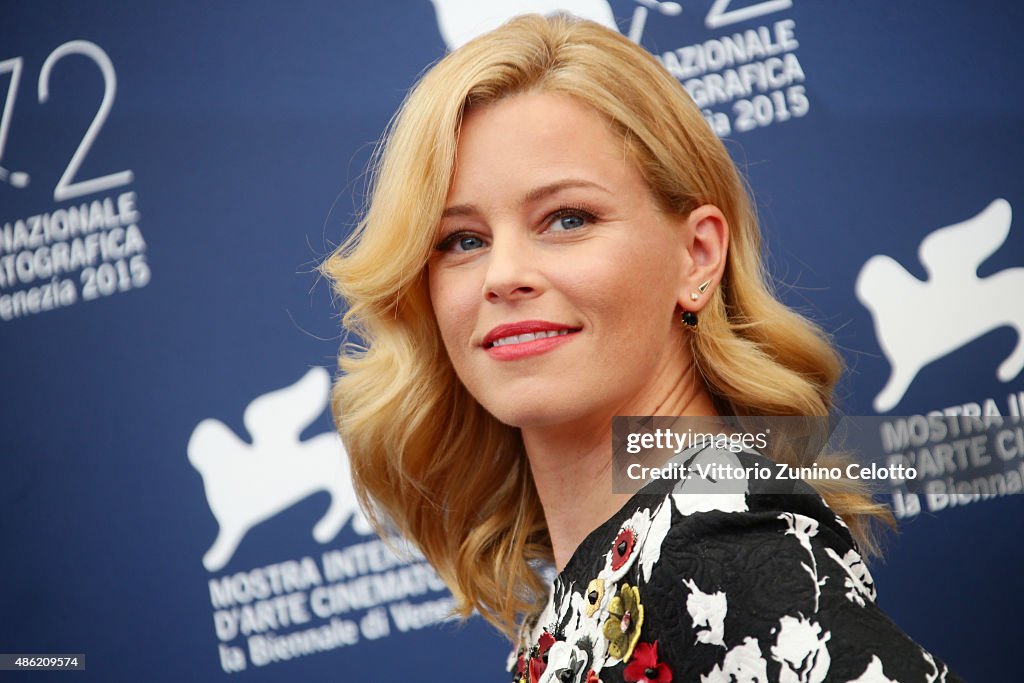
(556, 277)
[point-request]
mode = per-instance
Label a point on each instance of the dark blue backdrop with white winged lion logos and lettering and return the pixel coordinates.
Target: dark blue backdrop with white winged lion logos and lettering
(170, 176)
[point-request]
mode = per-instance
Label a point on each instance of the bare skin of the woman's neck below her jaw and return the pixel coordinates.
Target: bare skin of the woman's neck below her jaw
(572, 464)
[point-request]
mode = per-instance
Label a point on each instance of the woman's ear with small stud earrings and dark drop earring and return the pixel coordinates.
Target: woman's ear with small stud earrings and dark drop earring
(707, 235)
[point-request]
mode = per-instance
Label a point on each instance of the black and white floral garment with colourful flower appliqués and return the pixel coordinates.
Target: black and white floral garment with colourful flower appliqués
(720, 583)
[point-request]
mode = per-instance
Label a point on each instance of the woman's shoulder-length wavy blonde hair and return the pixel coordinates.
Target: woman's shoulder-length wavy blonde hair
(428, 459)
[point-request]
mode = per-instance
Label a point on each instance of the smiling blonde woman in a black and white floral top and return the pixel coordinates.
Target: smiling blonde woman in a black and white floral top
(556, 237)
